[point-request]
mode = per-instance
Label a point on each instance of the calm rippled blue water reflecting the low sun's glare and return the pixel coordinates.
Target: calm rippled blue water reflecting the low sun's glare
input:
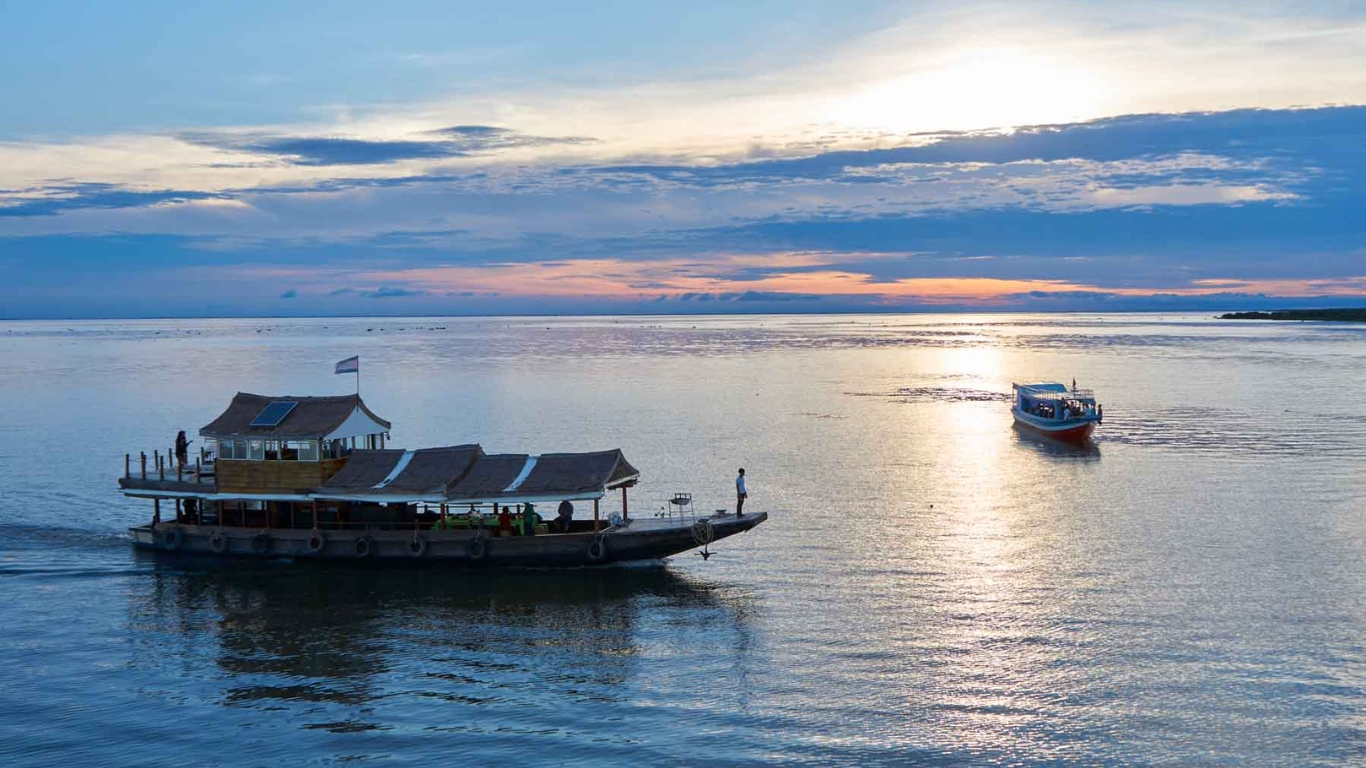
(932, 588)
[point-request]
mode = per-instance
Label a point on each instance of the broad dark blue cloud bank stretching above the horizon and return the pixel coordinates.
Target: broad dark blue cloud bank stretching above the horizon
(1186, 206)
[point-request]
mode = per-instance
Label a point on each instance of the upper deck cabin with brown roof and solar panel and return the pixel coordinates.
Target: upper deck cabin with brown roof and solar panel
(264, 445)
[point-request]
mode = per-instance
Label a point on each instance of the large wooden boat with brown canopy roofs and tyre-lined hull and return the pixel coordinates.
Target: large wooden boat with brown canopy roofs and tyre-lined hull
(313, 479)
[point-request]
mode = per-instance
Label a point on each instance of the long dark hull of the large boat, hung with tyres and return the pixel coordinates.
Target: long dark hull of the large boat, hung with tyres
(643, 542)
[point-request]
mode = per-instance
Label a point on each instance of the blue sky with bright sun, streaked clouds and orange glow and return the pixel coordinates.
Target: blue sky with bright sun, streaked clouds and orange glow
(282, 159)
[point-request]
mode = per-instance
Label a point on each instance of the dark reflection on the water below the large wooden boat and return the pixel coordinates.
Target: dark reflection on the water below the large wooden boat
(337, 650)
